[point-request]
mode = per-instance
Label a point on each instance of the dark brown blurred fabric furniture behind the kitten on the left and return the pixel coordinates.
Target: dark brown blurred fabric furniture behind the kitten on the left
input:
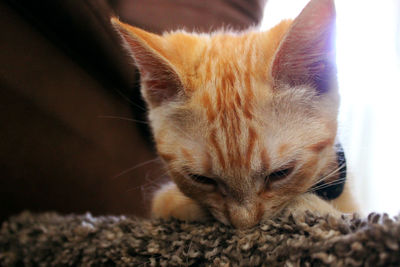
(62, 73)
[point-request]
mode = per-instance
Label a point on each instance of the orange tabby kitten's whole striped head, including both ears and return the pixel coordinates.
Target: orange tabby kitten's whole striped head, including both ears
(244, 121)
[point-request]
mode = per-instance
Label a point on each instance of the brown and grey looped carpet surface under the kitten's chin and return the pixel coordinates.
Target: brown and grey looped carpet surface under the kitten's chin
(50, 239)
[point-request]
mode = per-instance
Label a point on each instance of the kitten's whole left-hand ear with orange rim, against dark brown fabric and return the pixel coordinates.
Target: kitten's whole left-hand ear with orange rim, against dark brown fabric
(160, 79)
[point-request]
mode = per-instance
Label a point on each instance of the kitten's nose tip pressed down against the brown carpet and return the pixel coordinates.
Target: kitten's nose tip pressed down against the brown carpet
(245, 215)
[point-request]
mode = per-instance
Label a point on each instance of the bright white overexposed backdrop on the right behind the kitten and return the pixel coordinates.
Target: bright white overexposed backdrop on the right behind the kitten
(368, 58)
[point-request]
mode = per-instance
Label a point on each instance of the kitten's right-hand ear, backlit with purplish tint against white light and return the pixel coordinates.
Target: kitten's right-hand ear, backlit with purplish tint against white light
(306, 55)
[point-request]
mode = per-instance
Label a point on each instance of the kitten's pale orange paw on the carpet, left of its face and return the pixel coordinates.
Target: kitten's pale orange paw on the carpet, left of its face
(169, 201)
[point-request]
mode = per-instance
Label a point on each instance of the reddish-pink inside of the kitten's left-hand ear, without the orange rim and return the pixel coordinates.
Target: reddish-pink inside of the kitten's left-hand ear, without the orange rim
(161, 81)
